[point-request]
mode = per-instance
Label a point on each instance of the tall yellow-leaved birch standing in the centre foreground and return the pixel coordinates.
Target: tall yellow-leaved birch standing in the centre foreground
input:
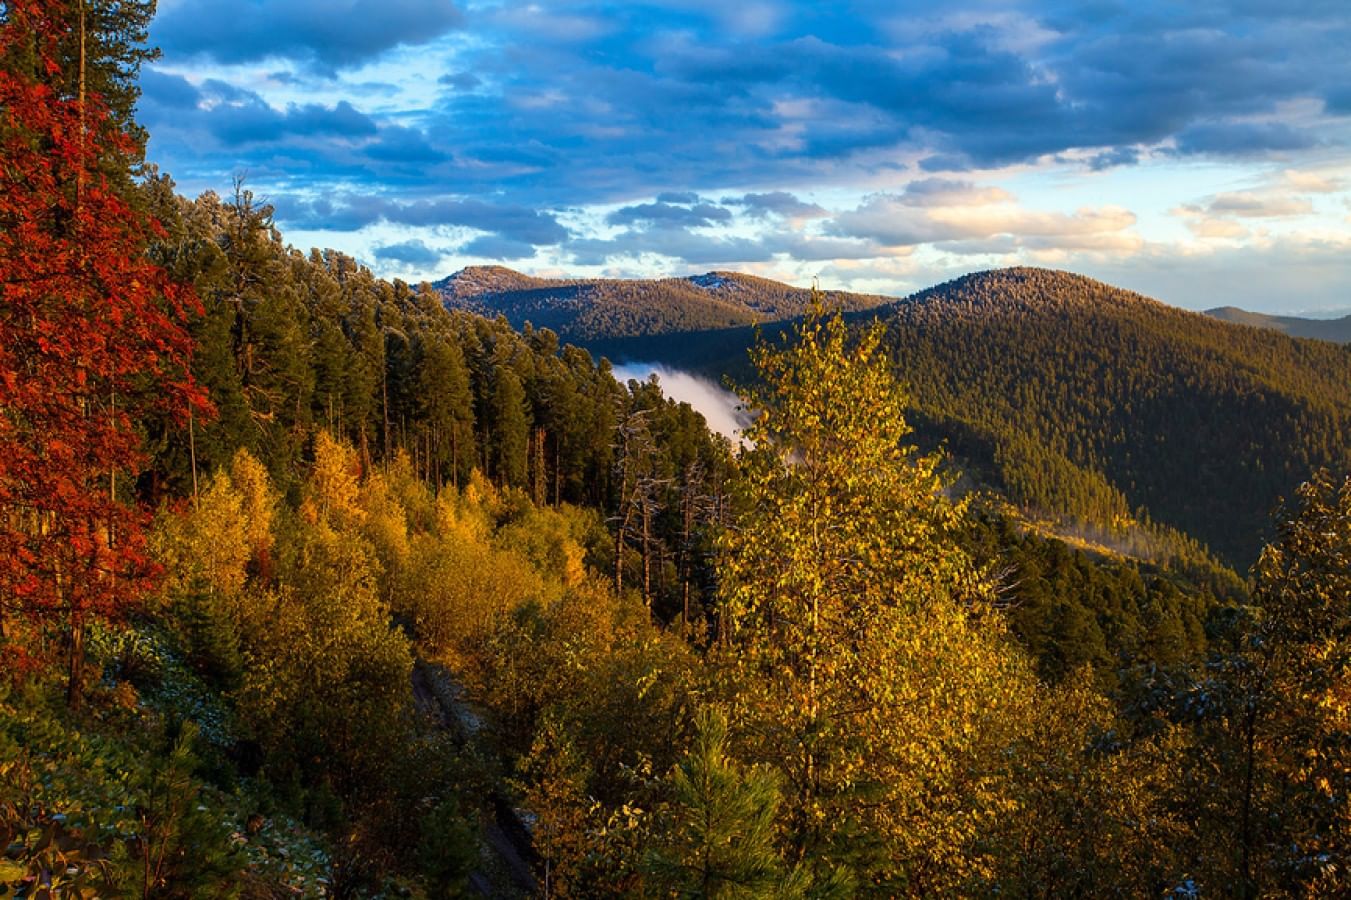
(863, 675)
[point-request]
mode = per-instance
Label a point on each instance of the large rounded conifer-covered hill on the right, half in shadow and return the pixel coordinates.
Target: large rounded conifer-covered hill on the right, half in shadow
(1103, 406)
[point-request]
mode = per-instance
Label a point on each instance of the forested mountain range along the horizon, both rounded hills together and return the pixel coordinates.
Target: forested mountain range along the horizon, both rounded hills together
(1145, 426)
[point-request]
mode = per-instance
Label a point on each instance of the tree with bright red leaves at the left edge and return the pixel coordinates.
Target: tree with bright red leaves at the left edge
(91, 339)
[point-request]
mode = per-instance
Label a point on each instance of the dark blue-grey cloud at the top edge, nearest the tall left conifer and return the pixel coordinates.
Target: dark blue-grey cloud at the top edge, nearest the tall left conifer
(311, 32)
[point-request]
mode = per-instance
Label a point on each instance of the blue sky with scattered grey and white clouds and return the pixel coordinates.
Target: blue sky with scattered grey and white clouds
(1196, 152)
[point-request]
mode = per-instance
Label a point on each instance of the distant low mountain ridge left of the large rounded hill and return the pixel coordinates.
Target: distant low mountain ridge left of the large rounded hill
(588, 310)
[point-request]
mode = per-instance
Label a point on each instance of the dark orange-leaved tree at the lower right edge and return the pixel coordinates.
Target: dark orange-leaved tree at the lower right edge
(1284, 739)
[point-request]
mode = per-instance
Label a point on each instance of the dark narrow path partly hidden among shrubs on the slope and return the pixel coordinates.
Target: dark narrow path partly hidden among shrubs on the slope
(506, 871)
